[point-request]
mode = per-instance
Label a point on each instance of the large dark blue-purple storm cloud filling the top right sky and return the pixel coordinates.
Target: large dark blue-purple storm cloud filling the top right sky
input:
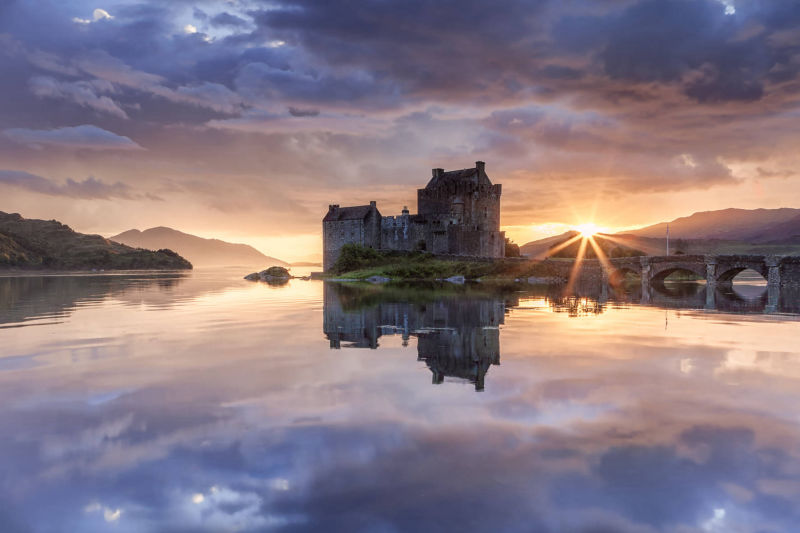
(499, 50)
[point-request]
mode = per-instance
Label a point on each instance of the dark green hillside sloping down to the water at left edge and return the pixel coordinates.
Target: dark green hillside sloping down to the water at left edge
(48, 244)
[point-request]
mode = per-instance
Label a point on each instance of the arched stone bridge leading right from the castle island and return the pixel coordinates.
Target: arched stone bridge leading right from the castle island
(717, 270)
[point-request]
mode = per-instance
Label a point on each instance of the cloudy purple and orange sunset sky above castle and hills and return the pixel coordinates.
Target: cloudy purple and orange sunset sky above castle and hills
(244, 119)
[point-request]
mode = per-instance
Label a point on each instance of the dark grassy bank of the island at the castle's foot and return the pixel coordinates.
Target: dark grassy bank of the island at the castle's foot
(359, 262)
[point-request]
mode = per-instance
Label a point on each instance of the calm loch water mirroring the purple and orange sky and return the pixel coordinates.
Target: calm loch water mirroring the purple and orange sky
(202, 402)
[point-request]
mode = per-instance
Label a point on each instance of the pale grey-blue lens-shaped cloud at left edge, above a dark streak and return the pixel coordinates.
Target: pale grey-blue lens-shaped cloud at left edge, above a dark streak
(86, 137)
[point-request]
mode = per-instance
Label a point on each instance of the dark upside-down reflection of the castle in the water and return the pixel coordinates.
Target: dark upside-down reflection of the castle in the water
(457, 333)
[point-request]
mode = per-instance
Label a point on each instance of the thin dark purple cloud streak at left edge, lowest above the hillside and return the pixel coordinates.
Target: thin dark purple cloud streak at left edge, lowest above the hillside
(88, 189)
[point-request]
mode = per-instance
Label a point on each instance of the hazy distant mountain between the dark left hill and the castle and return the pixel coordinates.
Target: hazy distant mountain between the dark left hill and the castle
(200, 251)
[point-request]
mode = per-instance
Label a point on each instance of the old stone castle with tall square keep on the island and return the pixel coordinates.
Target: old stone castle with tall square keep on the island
(459, 214)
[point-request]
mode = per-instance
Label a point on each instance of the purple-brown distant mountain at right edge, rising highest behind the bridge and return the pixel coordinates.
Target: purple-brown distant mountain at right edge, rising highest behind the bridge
(746, 225)
